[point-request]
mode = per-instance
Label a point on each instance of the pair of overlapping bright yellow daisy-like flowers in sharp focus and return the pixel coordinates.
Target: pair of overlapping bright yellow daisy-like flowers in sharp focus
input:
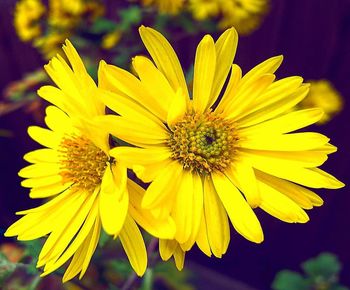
(210, 155)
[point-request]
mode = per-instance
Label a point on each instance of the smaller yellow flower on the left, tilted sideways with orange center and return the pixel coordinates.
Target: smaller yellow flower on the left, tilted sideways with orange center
(89, 189)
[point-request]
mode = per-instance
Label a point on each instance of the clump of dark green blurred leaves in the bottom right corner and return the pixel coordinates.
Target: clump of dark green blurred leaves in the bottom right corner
(320, 273)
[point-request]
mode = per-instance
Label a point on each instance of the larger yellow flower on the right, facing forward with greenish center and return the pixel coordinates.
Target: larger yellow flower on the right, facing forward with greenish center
(211, 158)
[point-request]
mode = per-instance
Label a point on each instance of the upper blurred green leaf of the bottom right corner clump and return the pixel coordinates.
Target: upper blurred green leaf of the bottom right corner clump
(325, 265)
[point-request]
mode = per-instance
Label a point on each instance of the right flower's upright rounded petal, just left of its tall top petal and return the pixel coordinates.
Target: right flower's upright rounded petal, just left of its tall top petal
(204, 72)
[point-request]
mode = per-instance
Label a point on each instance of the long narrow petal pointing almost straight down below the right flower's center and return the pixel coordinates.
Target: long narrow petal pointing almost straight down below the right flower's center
(216, 220)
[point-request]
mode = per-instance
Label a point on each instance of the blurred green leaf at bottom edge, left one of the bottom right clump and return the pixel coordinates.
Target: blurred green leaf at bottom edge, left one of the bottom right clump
(288, 280)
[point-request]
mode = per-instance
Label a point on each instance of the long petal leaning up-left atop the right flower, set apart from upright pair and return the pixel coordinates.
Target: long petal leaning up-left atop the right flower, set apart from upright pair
(164, 57)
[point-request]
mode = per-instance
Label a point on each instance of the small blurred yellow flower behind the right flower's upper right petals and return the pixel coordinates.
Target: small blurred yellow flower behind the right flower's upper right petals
(322, 94)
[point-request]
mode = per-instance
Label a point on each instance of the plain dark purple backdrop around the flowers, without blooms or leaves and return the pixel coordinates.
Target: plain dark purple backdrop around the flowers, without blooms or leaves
(314, 37)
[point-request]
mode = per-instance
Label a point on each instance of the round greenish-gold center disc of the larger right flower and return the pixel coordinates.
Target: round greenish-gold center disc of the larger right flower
(203, 142)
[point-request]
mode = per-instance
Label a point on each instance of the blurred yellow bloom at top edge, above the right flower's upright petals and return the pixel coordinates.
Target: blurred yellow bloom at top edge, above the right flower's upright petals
(245, 15)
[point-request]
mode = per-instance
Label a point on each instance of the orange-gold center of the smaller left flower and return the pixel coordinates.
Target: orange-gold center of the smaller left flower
(82, 162)
